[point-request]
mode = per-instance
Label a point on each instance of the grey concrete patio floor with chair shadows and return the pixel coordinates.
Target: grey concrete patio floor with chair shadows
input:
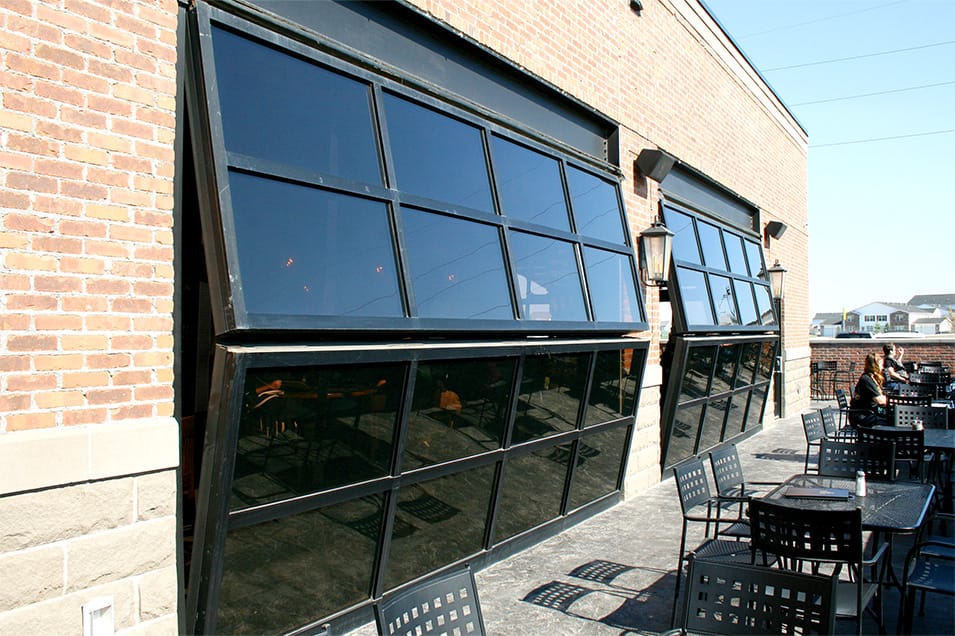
(613, 574)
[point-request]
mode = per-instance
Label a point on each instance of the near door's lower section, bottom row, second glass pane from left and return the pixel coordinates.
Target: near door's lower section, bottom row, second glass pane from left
(438, 522)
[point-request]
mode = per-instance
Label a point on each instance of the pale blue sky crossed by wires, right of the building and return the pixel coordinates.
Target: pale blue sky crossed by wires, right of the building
(881, 211)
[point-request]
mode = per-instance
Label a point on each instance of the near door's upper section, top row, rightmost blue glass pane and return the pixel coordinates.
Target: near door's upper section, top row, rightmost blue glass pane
(596, 207)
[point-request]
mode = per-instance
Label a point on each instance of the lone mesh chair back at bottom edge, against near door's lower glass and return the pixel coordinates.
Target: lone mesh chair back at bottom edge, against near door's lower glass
(447, 604)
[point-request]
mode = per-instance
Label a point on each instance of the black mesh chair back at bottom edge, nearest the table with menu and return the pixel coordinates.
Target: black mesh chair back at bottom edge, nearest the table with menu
(728, 598)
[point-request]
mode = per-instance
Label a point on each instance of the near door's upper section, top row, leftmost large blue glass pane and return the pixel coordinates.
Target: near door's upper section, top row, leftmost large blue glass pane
(284, 109)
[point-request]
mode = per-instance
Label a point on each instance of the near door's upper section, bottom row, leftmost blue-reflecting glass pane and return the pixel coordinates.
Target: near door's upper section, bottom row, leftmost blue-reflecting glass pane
(305, 251)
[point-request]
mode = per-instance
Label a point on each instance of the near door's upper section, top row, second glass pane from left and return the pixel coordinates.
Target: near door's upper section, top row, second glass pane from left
(436, 156)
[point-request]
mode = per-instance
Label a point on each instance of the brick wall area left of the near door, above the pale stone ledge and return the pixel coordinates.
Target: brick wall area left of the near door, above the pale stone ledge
(87, 124)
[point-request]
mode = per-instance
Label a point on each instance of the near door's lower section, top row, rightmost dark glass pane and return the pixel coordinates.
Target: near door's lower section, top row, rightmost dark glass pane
(613, 391)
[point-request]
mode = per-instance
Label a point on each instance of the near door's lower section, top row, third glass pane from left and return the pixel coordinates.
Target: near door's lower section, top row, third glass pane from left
(550, 396)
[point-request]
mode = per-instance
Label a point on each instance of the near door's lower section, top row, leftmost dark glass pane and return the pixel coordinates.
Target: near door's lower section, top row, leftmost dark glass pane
(308, 429)
